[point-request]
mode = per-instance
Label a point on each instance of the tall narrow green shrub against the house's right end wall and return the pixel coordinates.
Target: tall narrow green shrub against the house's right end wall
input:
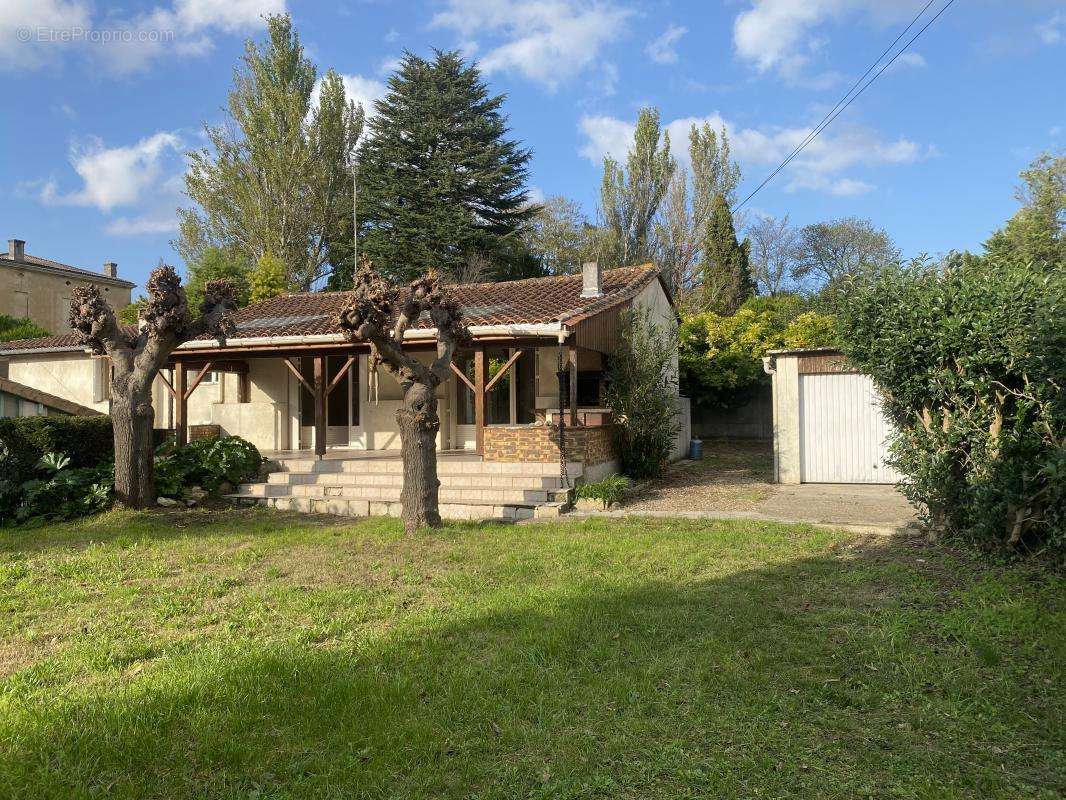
(642, 393)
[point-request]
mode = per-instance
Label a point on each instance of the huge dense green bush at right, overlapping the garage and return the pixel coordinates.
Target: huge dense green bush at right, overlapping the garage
(971, 357)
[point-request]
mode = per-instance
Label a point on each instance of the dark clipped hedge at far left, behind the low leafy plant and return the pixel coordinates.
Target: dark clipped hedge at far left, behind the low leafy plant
(86, 441)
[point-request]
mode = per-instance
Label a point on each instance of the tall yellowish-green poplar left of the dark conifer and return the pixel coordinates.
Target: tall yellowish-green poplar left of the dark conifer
(278, 175)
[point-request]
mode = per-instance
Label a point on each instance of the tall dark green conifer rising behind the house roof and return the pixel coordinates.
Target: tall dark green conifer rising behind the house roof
(441, 185)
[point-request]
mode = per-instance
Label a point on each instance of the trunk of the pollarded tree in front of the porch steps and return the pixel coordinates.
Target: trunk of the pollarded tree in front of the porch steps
(418, 436)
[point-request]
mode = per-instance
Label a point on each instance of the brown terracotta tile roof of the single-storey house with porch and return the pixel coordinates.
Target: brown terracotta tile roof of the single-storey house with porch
(529, 302)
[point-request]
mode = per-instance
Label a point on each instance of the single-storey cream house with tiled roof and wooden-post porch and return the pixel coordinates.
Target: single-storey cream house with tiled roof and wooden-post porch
(292, 385)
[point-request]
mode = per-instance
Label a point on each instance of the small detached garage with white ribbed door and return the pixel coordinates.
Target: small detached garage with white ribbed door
(829, 426)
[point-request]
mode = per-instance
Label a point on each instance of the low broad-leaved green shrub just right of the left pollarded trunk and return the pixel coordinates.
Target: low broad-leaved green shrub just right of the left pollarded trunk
(207, 463)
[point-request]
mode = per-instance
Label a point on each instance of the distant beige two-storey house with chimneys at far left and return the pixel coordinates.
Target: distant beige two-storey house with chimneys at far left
(40, 290)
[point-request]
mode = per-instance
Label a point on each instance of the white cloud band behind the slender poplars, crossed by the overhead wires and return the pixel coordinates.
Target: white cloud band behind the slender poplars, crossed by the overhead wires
(821, 167)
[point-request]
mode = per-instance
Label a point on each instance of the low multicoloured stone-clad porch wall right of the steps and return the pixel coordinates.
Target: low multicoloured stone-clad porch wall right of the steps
(590, 446)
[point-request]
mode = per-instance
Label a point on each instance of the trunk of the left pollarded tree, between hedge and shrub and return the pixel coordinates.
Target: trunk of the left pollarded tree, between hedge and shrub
(135, 463)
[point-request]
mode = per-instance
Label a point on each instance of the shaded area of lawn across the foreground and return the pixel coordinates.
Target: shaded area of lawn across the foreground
(843, 676)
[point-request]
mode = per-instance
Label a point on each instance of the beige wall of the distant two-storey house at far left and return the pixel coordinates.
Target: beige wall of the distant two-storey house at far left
(45, 298)
